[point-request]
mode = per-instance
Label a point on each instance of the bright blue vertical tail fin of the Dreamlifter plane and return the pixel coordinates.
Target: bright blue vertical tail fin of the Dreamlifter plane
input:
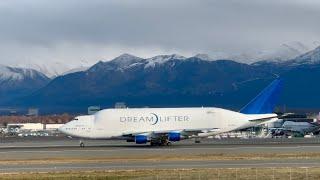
(266, 101)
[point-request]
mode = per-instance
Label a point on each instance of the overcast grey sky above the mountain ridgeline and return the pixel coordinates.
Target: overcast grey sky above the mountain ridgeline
(74, 30)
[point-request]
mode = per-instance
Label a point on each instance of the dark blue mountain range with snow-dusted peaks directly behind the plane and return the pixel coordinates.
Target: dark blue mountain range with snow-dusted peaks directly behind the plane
(179, 81)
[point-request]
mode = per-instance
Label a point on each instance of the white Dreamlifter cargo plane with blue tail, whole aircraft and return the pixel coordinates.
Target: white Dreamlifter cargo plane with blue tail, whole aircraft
(161, 126)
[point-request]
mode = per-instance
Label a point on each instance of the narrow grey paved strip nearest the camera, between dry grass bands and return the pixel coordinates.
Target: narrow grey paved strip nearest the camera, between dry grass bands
(152, 165)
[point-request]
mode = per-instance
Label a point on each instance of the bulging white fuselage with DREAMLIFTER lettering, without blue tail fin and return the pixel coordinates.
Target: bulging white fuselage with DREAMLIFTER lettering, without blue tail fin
(113, 123)
